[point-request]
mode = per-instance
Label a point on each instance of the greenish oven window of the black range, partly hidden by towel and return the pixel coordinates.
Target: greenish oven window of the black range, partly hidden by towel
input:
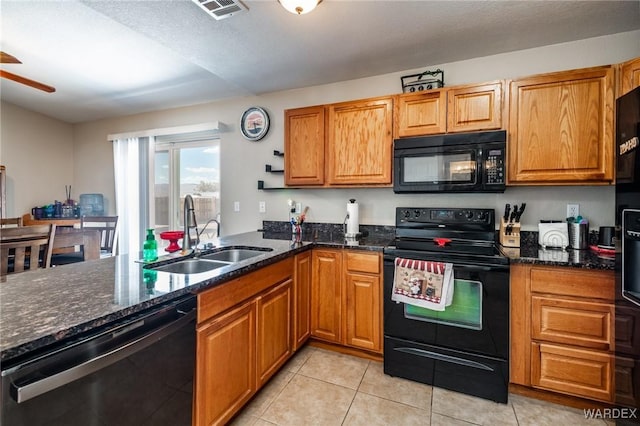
(465, 310)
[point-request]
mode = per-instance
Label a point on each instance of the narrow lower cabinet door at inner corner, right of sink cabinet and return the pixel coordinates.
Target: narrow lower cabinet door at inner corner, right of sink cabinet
(302, 305)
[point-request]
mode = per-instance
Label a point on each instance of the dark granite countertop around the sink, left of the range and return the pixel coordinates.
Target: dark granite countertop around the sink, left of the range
(40, 308)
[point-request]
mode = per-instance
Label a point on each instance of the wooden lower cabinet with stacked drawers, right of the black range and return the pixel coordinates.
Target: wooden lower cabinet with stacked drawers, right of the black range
(562, 330)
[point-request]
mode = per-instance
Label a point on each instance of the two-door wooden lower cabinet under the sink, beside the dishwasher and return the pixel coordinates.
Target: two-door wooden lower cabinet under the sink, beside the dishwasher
(244, 335)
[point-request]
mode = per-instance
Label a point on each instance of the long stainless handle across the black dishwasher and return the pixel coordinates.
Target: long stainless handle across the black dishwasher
(24, 393)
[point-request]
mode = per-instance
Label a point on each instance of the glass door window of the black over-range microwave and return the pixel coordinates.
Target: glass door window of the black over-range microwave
(440, 168)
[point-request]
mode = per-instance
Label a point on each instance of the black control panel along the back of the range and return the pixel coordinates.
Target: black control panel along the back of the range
(411, 216)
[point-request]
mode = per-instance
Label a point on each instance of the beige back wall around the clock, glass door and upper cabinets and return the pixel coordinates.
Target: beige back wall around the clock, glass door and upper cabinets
(243, 162)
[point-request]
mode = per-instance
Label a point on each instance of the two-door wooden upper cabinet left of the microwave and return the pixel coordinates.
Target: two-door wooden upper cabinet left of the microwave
(342, 144)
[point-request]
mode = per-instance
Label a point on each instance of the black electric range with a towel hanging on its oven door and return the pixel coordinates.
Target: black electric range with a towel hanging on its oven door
(464, 348)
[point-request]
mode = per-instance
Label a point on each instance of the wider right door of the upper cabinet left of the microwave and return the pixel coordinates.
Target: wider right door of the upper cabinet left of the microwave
(360, 143)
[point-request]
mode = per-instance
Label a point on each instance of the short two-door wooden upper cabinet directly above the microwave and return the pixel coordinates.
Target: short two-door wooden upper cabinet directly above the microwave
(456, 109)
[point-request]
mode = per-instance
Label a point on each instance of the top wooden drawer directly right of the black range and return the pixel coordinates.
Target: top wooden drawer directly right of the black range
(573, 282)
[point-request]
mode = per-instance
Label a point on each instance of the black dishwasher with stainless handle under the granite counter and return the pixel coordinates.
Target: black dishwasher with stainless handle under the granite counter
(136, 372)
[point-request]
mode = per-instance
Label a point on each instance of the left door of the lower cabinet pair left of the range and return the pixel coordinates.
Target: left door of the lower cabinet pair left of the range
(325, 295)
